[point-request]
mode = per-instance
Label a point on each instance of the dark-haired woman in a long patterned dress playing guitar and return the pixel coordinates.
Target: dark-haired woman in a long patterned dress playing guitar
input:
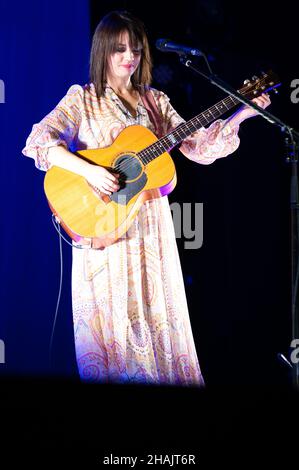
(130, 314)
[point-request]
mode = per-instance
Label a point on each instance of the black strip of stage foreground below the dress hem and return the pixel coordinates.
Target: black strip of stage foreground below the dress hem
(59, 420)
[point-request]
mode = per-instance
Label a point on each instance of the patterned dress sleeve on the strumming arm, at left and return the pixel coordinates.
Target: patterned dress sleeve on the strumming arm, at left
(59, 127)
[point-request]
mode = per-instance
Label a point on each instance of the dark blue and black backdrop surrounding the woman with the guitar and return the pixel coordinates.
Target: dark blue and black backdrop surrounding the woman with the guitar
(238, 282)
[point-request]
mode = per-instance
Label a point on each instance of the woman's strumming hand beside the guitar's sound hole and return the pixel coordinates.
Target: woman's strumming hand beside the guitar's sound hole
(102, 179)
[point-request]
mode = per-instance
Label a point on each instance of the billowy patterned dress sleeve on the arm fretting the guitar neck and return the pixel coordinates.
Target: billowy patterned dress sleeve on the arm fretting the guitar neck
(207, 144)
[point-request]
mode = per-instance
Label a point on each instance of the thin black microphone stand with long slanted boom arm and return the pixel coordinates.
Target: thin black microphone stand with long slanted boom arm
(292, 143)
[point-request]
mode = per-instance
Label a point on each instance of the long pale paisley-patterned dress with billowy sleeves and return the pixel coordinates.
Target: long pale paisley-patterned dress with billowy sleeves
(130, 314)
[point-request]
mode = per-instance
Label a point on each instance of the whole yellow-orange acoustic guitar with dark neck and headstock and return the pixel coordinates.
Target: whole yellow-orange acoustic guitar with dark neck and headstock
(146, 171)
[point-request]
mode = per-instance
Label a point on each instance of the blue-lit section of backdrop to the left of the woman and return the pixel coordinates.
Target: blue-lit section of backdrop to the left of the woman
(44, 50)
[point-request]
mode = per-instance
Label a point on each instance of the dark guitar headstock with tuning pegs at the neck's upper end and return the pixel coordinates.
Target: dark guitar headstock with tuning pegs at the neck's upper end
(267, 82)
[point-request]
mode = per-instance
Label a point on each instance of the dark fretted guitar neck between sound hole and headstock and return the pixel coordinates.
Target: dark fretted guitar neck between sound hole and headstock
(177, 135)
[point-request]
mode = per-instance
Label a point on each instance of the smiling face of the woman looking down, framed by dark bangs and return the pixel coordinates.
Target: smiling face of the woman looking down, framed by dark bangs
(124, 61)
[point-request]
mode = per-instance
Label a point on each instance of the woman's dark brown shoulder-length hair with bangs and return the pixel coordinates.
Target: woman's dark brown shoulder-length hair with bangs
(105, 39)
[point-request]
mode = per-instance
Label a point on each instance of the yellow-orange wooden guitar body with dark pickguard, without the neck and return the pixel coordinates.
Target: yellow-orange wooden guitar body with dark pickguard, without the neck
(94, 219)
